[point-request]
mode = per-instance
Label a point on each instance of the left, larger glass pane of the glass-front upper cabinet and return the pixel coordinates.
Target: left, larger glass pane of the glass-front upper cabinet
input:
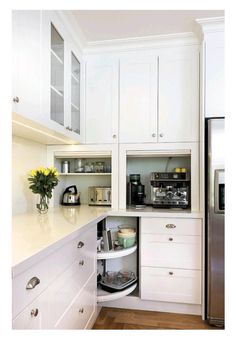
(57, 77)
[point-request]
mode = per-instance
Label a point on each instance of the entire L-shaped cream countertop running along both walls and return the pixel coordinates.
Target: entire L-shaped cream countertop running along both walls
(32, 233)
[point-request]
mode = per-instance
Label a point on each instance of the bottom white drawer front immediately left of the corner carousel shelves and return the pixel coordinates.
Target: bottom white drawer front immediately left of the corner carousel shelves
(81, 310)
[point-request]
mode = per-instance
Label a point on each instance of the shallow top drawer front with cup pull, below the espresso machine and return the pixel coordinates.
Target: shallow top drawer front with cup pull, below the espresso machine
(174, 226)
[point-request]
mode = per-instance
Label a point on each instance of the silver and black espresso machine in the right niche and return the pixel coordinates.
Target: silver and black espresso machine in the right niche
(170, 189)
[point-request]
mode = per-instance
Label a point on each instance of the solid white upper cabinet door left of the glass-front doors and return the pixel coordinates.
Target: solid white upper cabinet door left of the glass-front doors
(26, 63)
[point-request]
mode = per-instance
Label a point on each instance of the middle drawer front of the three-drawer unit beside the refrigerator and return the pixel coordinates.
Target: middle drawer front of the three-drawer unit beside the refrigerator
(171, 251)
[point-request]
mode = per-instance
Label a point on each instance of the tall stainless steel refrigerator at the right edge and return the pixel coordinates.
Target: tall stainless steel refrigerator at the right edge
(215, 210)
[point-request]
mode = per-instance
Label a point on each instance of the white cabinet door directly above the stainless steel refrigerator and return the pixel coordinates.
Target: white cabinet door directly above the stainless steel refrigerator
(214, 75)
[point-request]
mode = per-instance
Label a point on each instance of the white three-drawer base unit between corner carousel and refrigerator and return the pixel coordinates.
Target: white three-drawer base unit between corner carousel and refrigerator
(171, 260)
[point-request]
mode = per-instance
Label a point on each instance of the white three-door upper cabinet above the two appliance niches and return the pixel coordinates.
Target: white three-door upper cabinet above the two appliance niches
(152, 96)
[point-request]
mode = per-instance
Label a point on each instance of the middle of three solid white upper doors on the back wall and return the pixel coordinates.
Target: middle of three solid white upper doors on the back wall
(138, 98)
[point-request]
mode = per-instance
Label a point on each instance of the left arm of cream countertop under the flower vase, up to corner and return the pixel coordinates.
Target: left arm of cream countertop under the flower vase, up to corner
(32, 232)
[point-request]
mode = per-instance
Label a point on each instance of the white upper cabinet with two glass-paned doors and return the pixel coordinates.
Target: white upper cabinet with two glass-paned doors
(61, 72)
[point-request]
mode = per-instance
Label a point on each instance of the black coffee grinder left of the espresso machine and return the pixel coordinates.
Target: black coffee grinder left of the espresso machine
(135, 192)
